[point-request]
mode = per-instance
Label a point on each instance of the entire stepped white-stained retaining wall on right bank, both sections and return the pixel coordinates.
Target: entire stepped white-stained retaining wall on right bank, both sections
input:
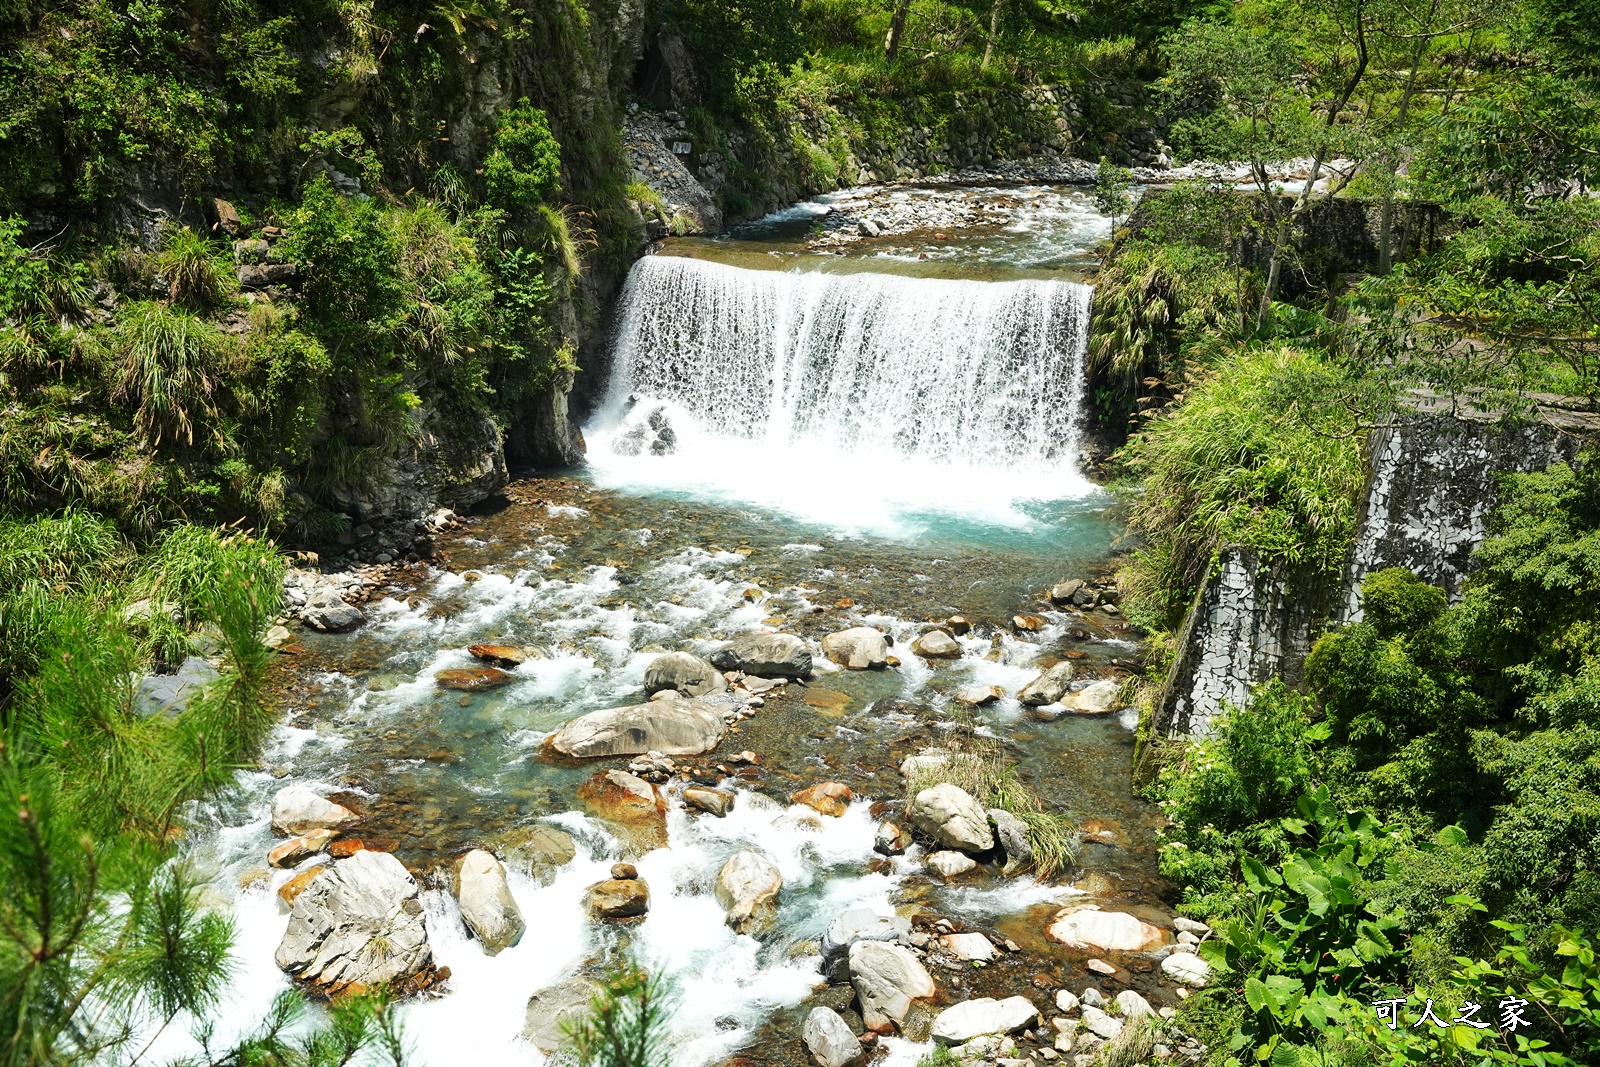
(1433, 484)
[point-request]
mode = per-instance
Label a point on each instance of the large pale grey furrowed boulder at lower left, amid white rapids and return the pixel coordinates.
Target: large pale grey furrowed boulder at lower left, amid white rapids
(358, 927)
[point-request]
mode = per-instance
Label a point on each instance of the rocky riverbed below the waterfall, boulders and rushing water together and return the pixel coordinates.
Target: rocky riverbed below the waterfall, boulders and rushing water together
(764, 825)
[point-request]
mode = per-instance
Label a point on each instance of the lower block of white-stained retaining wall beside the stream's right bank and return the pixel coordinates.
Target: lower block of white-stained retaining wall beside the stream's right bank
(1249, 625)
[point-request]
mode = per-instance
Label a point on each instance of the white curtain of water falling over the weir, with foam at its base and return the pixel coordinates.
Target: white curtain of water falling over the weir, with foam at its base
(850, 399)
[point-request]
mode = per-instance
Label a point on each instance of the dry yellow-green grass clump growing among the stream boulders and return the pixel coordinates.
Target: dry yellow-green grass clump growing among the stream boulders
(977, 765)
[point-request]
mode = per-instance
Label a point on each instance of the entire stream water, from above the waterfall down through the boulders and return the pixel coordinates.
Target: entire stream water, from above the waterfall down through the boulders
(802, 433)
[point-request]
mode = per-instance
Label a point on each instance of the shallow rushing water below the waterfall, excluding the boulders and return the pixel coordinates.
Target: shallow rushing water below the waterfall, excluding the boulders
(606, 570)
